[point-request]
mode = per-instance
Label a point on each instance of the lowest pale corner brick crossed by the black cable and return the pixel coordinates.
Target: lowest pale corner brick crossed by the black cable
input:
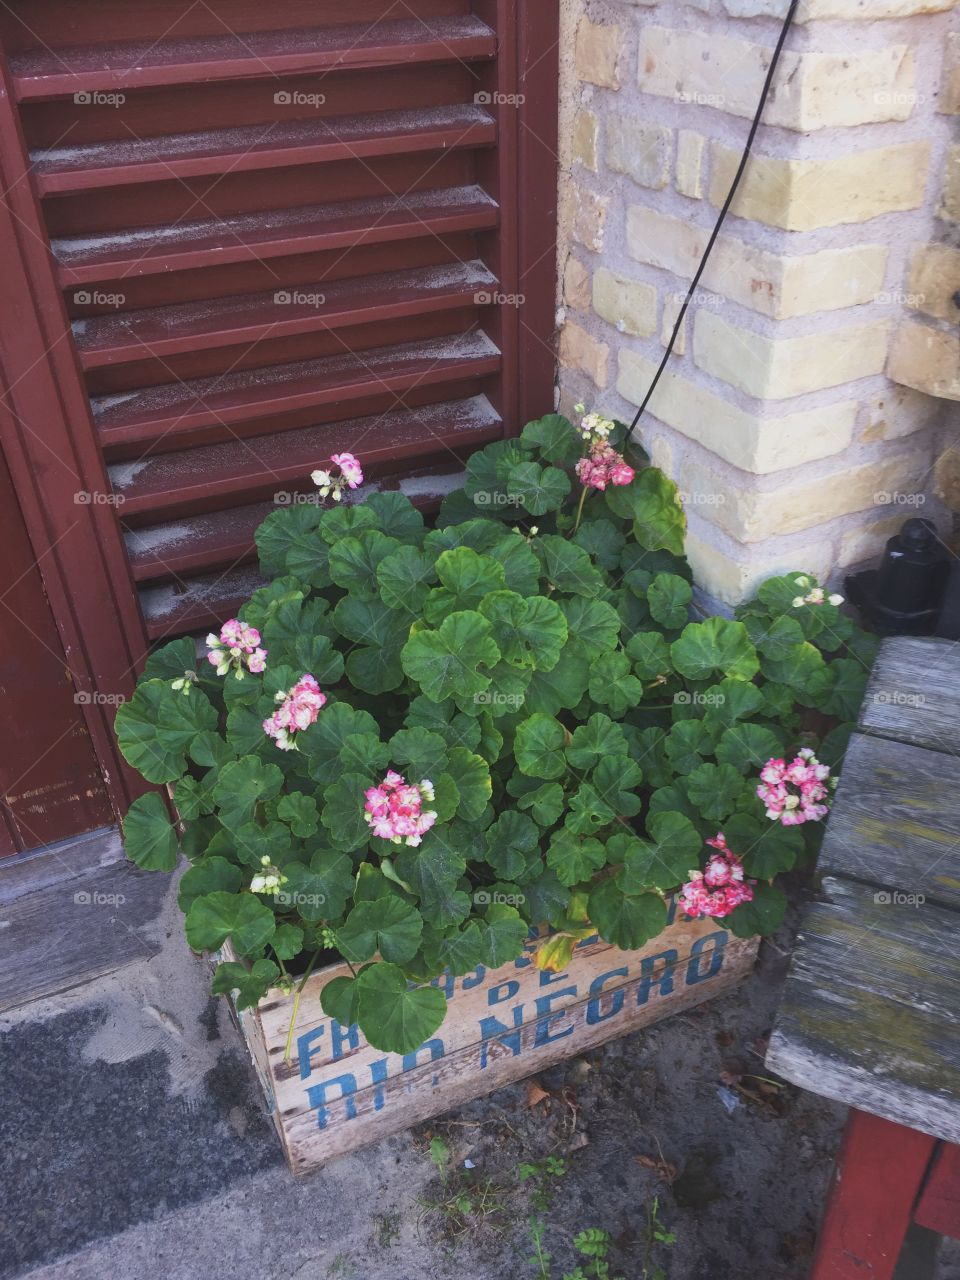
(753, 442)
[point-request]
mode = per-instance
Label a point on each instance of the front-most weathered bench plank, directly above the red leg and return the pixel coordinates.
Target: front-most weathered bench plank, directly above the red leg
(870, 1014)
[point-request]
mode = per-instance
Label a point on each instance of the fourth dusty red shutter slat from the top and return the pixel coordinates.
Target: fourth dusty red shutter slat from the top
(127, 336)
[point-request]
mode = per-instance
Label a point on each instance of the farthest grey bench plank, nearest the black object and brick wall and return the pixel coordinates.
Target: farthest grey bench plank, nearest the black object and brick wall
(915, 693)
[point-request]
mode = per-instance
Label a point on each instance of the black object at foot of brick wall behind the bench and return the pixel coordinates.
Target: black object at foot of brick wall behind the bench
(906, 595)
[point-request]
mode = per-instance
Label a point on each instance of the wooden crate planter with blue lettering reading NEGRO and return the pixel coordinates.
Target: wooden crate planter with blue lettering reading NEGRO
(339, 1094)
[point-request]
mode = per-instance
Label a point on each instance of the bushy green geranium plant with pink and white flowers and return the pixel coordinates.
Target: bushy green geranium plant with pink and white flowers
(417, 744)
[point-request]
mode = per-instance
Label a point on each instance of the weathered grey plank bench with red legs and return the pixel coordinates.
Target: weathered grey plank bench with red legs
(870, 1013)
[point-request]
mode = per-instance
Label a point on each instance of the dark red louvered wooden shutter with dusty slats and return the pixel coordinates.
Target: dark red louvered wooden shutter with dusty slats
(278, 236)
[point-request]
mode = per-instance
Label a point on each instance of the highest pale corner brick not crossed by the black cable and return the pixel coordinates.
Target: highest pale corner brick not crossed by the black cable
(780, 368)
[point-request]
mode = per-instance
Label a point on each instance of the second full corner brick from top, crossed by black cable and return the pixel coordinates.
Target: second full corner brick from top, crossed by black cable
(802, 195)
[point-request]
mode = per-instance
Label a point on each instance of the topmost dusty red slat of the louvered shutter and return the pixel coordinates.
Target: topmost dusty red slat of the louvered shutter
(45, 74)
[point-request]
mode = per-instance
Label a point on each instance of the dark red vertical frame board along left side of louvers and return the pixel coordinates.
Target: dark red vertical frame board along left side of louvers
(48, 437)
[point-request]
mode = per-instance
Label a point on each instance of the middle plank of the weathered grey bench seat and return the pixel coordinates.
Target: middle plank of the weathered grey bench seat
(897, 822)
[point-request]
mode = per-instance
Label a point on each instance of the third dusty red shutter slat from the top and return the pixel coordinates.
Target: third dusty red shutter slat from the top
(275, 234)
